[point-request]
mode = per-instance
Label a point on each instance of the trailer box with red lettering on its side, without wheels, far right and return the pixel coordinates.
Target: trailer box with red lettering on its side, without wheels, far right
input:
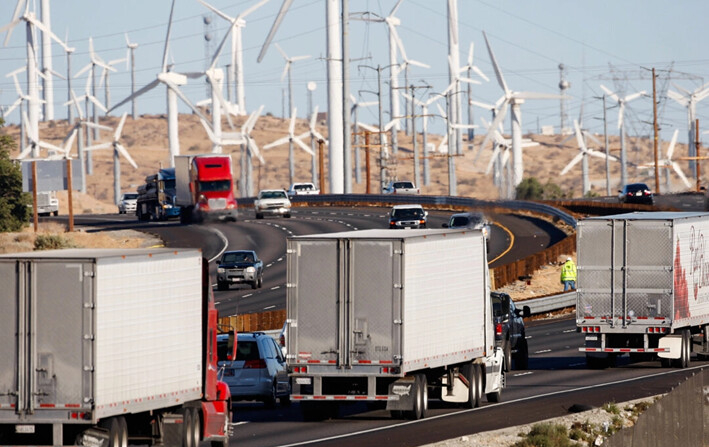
(640, 268)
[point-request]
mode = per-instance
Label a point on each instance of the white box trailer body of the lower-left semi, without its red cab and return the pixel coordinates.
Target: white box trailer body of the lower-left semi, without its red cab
(112, 331)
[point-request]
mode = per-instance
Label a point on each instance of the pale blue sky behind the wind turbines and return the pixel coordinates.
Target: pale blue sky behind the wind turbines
(609, 42)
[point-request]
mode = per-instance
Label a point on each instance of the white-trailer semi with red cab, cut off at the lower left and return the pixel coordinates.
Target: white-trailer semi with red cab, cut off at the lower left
(104, 347)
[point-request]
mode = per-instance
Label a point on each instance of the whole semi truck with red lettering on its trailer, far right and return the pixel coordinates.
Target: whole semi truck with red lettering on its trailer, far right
(643, 287)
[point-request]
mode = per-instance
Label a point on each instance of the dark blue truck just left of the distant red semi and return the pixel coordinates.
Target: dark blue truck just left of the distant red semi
(156, 197)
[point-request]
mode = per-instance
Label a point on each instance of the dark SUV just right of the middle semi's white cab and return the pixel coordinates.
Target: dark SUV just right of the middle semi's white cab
(509, 330)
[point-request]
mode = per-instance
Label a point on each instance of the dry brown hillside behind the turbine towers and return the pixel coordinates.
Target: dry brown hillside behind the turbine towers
(146, 140)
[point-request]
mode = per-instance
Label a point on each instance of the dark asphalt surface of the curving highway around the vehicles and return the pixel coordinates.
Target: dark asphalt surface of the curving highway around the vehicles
(557, 377)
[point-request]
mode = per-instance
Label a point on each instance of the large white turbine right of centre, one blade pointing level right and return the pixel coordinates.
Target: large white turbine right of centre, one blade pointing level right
(514, 99)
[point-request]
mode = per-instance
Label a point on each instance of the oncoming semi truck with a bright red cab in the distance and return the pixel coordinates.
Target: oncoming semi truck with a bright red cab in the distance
(205, 188)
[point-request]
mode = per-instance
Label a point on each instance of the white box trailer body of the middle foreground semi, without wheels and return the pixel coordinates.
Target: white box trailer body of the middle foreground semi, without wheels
(357, 300)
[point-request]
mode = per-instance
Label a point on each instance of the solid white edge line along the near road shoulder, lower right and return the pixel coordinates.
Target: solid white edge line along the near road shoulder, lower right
(506, 403)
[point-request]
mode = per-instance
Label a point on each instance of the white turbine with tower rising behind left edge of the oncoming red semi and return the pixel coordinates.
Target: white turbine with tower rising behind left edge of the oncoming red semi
(172, 81)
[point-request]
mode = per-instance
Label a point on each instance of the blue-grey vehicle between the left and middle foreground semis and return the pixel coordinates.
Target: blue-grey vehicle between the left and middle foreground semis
(259, 371)
